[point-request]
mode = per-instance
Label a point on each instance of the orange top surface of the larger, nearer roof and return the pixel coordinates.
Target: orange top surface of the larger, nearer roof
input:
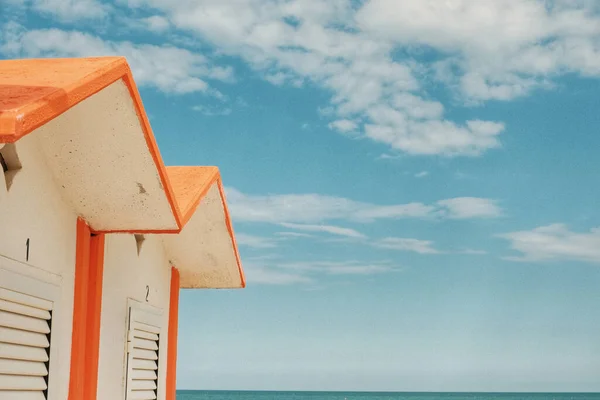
(34, 91)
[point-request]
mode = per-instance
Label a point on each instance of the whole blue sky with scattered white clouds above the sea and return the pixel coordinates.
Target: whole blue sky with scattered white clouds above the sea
(413, 184)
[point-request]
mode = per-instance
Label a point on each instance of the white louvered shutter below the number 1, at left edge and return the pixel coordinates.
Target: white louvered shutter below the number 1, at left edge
(25, 325)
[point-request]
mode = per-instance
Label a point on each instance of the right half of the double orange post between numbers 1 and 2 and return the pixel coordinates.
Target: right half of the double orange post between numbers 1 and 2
(94, 313)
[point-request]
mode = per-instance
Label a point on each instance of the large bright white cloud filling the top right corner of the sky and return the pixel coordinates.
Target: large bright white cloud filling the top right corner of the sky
(495, 49)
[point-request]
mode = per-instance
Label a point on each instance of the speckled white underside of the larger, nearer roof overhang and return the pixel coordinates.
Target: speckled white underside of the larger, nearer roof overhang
(100, 158)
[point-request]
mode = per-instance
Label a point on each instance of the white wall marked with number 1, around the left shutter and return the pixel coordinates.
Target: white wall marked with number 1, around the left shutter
(33, 209)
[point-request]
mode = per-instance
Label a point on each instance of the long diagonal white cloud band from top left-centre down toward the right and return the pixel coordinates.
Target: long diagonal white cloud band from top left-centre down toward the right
(324, 46)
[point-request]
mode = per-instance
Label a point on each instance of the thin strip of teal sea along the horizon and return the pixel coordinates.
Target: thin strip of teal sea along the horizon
(225, 395)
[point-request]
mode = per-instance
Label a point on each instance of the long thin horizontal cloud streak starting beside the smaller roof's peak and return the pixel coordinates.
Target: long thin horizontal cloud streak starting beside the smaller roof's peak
(315, 208)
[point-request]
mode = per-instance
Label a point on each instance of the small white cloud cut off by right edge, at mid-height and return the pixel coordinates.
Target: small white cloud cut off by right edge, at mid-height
(555, 243)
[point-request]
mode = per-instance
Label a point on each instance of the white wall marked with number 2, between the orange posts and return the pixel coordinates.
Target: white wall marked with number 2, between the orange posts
(126, 275)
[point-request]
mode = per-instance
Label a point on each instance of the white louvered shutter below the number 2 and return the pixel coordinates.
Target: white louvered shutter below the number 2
(142, 358)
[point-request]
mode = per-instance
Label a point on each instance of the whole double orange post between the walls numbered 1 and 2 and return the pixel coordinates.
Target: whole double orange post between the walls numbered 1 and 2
(85, 342)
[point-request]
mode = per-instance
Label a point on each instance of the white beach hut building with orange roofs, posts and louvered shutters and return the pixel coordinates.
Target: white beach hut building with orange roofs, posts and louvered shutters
(97, 236)
